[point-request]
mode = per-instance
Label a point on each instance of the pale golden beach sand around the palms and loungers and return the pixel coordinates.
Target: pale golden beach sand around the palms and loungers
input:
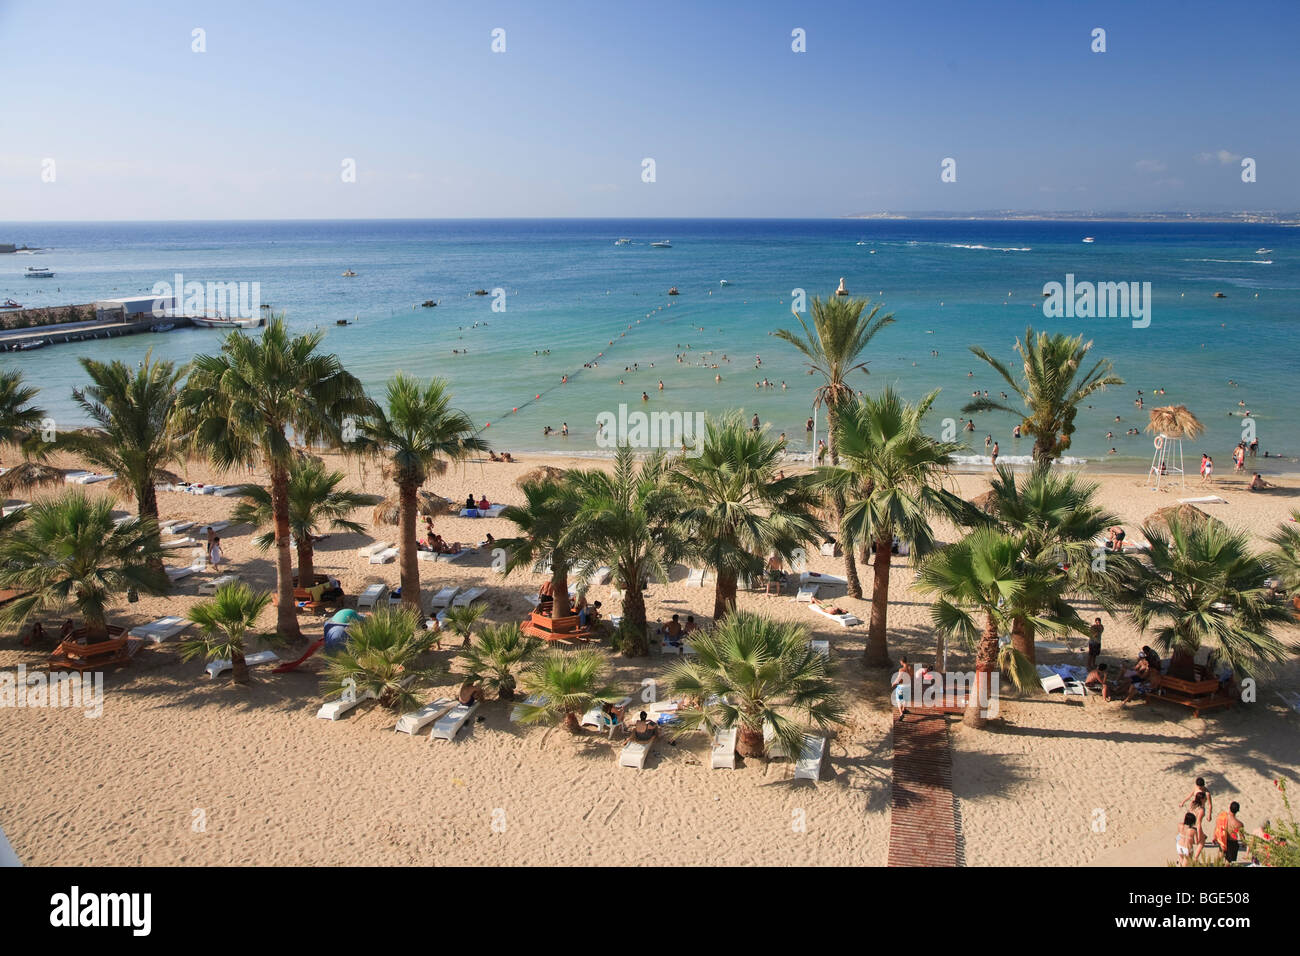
(180, 771)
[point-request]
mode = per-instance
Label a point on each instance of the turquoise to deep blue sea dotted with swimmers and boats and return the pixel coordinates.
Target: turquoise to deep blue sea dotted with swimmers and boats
(571, 291)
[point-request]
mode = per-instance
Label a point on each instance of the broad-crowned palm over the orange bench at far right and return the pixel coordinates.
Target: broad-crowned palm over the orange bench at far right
(1206, 589)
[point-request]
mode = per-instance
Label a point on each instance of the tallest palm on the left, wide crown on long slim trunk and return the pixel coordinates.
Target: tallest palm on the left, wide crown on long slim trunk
(240, 406)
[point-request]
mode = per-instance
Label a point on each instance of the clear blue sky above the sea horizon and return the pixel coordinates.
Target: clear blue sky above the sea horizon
(110, 113)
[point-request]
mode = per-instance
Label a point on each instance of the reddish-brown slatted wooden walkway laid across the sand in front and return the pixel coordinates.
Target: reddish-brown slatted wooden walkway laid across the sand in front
(924, 812)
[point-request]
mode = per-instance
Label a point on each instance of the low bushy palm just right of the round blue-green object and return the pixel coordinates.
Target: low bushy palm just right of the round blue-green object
(380, 659)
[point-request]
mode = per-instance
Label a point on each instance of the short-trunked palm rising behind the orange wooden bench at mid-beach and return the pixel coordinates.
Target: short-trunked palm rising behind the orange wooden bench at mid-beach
(547, 534)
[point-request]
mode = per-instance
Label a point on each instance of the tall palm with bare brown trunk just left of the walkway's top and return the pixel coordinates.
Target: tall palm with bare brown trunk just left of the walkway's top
(892, 483)
